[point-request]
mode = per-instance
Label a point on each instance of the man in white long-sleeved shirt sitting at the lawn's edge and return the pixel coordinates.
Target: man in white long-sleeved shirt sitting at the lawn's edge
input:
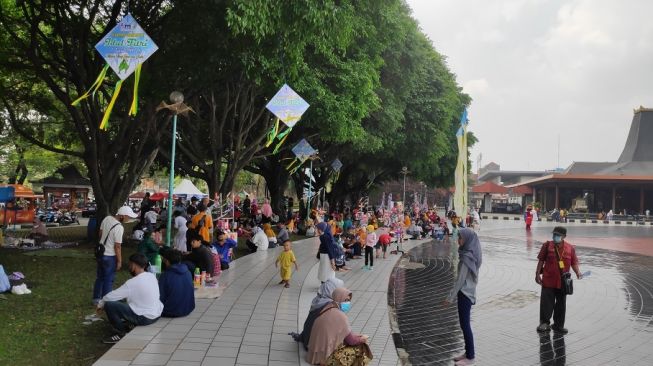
(141, 292)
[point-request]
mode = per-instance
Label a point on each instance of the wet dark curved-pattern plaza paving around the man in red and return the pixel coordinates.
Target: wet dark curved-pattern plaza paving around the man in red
(609, 317)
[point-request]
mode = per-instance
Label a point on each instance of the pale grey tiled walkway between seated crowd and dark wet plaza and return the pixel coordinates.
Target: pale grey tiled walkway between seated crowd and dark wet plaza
(249, 323)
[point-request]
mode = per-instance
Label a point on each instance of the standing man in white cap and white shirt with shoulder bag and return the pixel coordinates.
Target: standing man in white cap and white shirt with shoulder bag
(111, 231)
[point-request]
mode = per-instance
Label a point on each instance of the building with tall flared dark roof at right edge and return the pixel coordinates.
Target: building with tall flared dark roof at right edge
(625, 186)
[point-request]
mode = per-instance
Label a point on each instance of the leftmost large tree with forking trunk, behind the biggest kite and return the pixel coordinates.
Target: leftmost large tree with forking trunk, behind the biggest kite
(51, 44)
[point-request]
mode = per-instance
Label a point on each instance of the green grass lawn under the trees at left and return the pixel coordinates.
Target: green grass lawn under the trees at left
(45, 327)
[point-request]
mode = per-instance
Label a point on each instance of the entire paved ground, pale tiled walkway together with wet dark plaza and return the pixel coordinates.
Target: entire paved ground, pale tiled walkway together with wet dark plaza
(399, 305)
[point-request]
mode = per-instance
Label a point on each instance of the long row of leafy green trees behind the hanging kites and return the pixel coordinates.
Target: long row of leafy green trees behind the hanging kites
(381, 96)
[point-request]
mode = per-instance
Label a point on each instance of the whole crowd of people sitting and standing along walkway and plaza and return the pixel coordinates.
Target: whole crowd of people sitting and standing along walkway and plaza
(204, 245)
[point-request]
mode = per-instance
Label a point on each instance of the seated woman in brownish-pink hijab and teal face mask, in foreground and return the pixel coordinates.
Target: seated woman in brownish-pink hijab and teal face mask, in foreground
(332, 342)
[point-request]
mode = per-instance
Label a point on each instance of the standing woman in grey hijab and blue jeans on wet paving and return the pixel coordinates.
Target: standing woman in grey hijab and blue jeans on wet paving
(464, 290)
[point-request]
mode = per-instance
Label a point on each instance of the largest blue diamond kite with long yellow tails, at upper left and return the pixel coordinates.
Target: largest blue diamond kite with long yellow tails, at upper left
(125, 48)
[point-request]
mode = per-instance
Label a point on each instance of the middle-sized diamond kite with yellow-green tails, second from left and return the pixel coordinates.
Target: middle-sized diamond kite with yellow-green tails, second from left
(288, 107)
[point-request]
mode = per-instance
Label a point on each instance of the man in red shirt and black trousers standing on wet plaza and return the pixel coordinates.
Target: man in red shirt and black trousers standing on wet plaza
(554, 255)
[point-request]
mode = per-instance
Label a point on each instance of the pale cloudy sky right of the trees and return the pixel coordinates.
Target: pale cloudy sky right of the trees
(543, 70)
